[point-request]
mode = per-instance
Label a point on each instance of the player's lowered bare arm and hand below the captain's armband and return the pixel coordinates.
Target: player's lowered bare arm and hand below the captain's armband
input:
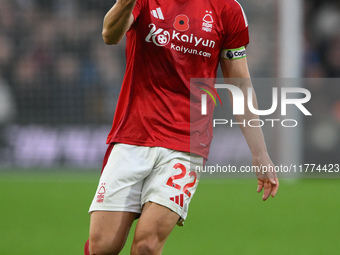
(237, 70)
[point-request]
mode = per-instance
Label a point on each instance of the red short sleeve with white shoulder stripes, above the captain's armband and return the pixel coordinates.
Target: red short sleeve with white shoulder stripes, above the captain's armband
(235, 26)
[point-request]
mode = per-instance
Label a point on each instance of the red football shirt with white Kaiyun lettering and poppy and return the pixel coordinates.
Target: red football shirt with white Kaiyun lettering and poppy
(170, 42)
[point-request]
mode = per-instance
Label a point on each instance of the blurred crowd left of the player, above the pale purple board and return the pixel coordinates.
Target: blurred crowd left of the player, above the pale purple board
(54, 61)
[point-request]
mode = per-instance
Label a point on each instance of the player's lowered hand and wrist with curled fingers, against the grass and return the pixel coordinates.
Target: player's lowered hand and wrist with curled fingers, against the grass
(267, 179)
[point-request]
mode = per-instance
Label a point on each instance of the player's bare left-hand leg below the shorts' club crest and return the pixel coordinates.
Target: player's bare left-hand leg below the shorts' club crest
(109, 231)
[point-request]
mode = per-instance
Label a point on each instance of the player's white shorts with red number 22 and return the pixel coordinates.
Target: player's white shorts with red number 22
(134, 175)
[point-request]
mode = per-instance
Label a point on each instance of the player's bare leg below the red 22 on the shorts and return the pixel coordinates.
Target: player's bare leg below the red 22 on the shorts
(153, 228)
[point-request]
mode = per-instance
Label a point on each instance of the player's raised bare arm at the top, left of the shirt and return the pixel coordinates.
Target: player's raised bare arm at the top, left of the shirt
(117, 21)
